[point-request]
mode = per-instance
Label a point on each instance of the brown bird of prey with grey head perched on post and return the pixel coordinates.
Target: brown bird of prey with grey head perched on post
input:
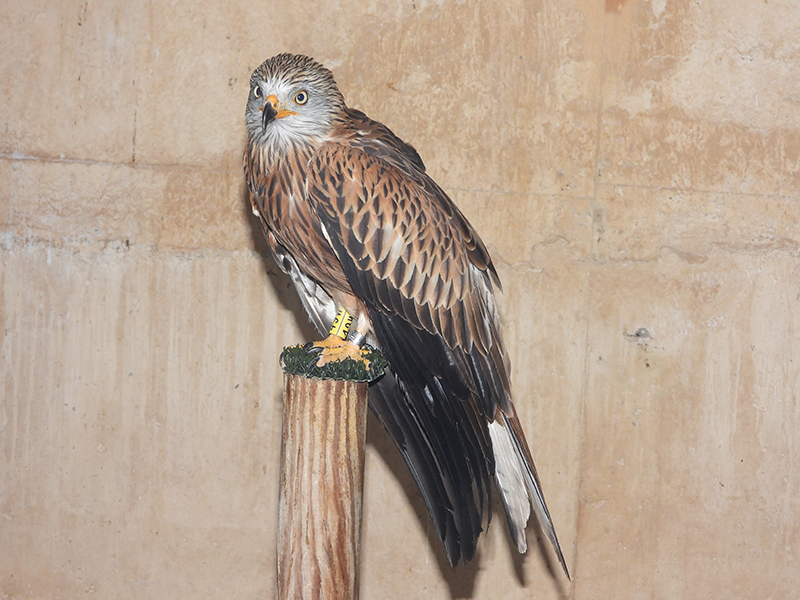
(359, 226)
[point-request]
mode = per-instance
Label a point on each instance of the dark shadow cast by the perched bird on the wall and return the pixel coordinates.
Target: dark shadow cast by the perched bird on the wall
(460, 579)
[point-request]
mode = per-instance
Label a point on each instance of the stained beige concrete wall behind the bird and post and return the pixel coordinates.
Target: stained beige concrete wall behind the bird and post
(633, 166)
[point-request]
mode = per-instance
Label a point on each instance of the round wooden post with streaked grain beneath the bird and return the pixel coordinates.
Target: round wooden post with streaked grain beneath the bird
(322, 474)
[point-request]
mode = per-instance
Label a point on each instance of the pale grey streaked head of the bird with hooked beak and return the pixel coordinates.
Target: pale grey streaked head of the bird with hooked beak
(293, 100)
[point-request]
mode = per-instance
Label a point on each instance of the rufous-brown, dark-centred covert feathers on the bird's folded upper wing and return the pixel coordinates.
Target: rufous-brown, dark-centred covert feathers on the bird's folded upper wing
(414, 252)
